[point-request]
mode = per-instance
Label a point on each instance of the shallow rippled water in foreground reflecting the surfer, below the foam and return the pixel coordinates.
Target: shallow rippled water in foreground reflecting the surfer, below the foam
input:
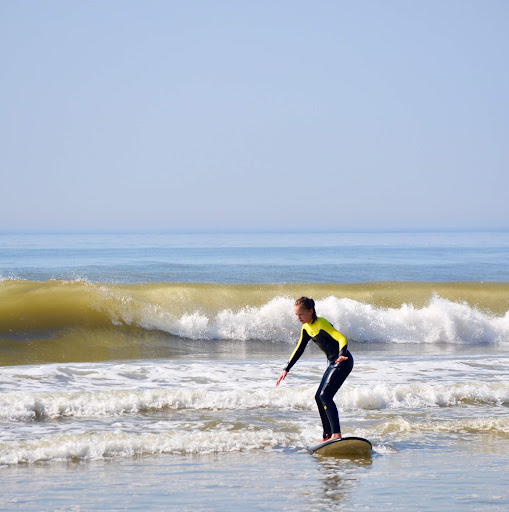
(412, 478)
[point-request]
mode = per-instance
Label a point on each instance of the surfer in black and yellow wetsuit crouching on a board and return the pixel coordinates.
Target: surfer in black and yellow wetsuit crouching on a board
(334, 344)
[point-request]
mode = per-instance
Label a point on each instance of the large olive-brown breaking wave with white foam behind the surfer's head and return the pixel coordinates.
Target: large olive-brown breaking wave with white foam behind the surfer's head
(252, 312)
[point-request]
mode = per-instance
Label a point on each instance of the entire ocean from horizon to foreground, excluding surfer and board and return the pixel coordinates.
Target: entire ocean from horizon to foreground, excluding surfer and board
(138, 371)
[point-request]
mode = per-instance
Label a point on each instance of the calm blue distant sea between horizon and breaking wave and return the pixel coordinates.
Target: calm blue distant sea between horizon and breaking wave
(257, 257)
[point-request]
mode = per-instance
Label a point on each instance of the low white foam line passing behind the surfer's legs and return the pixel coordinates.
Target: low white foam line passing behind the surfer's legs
(30, 406)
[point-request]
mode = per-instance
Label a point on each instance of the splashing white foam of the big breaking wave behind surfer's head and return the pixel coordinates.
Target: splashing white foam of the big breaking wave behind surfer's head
(440, 321)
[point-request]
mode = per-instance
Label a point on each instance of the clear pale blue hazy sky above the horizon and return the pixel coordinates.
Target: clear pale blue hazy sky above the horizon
(254, 114)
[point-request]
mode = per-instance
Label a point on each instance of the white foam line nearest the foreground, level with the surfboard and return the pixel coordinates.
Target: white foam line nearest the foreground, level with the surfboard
(118, 443)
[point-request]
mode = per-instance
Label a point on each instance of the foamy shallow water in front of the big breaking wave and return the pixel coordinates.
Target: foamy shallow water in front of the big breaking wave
(190, 455)
